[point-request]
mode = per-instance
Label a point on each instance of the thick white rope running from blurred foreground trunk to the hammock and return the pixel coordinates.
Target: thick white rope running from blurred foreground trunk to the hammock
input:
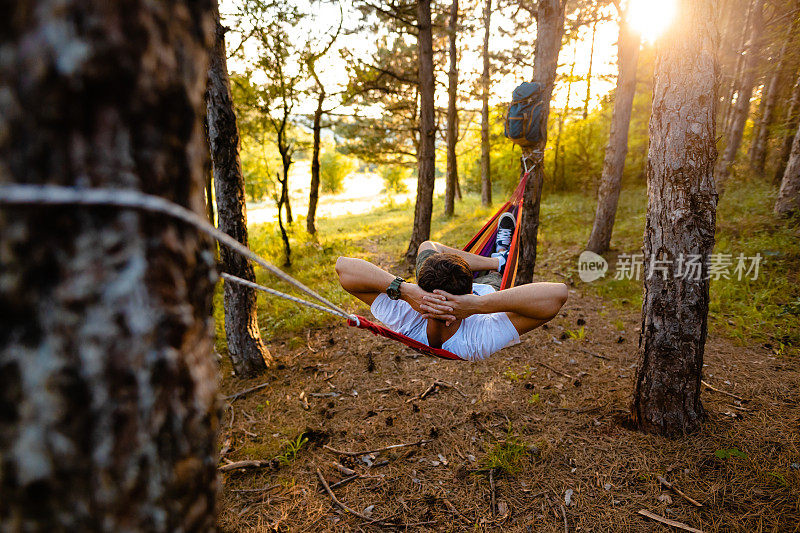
(59, 195)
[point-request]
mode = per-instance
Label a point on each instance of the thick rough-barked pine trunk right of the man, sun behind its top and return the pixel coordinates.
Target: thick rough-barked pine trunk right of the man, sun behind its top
(681, 217)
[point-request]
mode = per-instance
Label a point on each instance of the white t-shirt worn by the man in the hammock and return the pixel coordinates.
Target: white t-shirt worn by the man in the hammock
(477, 337)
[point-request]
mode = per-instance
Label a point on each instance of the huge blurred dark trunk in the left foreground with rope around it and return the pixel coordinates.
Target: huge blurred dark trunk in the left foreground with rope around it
(108, 397)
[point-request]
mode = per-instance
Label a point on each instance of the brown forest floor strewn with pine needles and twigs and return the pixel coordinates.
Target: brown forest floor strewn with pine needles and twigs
(535, 438)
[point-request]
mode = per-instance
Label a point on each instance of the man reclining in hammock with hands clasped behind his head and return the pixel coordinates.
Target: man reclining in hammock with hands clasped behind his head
(445, 309)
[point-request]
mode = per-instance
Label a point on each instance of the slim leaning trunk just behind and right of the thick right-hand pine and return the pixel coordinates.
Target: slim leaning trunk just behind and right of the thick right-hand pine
(742, 108)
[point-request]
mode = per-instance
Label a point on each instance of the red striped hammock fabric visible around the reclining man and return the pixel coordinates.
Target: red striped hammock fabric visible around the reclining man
(482, 244)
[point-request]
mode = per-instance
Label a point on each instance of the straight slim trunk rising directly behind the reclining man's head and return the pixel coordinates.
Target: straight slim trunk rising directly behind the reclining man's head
(427, 130)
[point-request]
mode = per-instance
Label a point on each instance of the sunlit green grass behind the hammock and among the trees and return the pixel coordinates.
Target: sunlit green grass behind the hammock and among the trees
(765, 310)
